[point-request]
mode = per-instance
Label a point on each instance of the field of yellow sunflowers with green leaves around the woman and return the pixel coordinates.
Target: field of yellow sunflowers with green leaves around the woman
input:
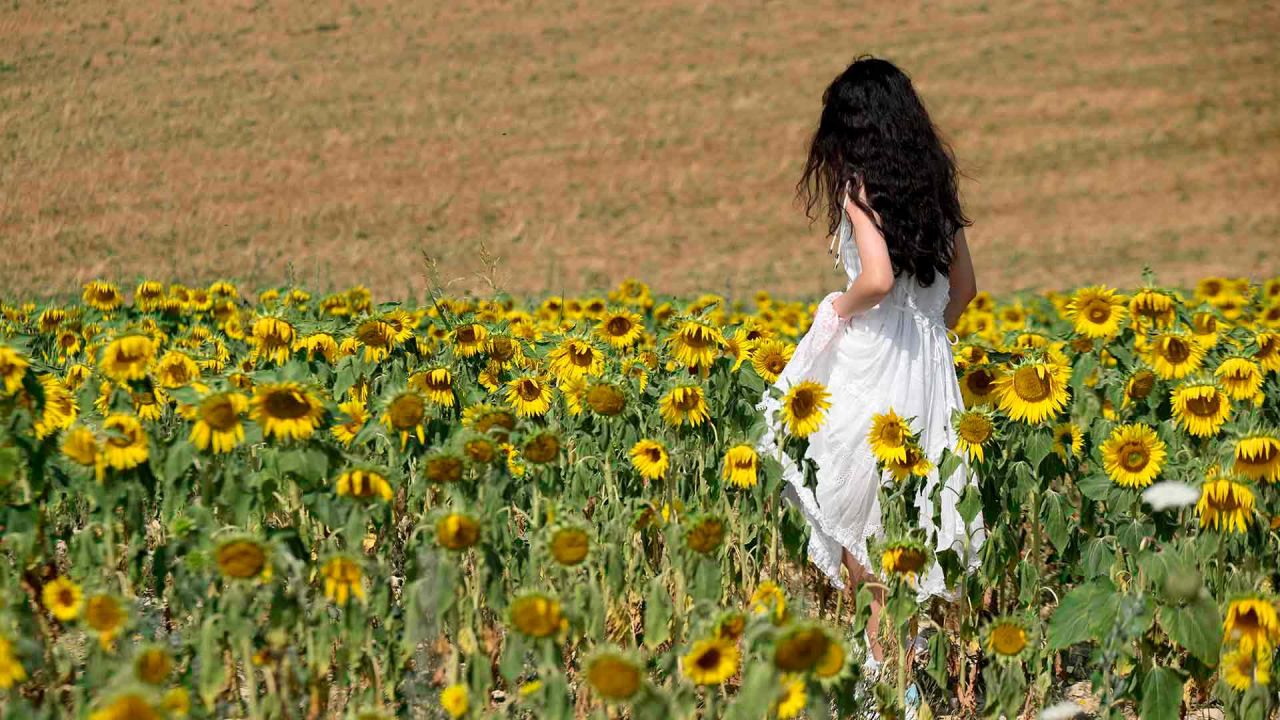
(217, 505)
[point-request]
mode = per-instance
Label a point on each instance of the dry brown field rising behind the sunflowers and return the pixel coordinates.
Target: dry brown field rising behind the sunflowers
(583, 143)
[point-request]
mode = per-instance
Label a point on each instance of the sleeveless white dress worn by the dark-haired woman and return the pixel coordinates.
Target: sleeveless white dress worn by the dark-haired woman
(895, 356)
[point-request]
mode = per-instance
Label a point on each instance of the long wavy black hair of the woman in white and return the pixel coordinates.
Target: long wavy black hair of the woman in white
(876, 133)
